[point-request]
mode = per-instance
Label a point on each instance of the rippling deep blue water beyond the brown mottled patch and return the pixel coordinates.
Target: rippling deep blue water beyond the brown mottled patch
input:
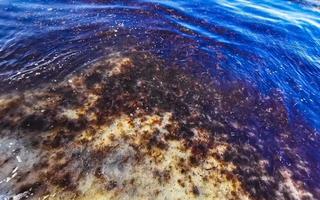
(274, 45)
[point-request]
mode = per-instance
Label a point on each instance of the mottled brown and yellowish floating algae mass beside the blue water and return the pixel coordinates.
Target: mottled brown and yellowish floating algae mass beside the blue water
(129, 127)
